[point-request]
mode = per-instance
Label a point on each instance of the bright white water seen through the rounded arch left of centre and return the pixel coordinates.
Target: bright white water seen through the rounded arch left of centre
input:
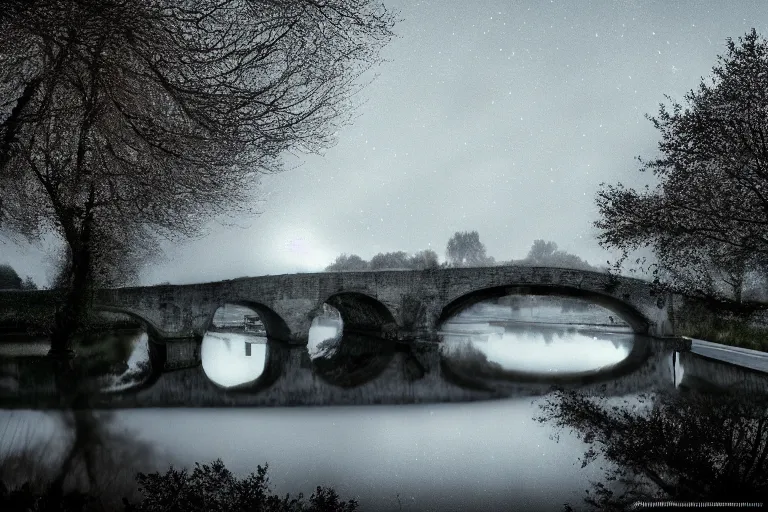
(225, 361)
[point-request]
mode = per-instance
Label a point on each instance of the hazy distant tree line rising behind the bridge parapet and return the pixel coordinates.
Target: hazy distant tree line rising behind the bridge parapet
(464, 249)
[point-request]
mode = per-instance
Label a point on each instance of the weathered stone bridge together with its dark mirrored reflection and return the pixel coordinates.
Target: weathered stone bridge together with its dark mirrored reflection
(400, 306)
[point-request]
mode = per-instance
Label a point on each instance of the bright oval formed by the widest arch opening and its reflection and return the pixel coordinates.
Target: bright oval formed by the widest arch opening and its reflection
(538, 336)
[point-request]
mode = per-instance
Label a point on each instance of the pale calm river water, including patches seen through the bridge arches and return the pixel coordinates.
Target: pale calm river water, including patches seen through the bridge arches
(490, 455)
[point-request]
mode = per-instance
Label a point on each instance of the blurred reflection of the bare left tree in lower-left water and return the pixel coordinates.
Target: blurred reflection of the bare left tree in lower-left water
(72, 449)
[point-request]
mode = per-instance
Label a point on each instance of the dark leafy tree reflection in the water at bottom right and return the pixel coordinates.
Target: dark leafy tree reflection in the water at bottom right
(682, 447)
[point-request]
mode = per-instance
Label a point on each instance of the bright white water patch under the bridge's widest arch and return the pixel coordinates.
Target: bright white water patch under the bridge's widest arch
(539, 349)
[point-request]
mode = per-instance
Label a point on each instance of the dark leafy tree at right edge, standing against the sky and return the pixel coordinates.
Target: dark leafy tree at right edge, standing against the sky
(707, 219)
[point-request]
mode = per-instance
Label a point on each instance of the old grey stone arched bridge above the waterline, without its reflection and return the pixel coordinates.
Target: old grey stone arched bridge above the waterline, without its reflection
(401, 304)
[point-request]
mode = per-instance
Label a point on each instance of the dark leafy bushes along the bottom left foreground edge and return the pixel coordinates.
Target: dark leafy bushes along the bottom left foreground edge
(207, 488)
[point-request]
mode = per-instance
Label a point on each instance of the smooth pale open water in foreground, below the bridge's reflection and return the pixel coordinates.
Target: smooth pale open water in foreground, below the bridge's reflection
(447, 457)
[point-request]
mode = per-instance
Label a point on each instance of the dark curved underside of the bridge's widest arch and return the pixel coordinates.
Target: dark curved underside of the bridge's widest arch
(636, 320)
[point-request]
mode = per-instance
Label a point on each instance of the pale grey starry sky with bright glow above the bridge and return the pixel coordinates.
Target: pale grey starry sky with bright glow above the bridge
(491, 115)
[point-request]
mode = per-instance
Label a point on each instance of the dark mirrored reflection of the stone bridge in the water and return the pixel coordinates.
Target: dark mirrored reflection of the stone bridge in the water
(361, 370)
